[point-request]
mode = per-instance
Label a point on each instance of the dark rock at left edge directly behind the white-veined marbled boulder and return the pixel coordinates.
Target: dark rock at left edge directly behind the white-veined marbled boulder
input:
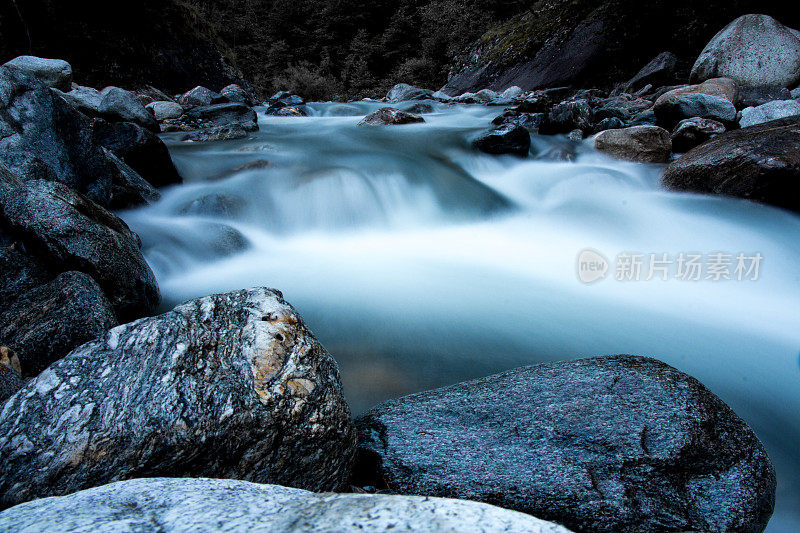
(47, 322)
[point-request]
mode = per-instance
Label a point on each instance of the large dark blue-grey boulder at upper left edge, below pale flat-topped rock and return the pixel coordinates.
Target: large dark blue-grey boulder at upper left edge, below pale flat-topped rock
(43, 137)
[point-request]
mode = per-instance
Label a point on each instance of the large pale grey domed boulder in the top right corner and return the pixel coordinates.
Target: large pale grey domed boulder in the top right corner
(753, 50)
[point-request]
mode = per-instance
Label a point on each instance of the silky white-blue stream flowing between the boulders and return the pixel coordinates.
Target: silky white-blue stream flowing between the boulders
(419, 262)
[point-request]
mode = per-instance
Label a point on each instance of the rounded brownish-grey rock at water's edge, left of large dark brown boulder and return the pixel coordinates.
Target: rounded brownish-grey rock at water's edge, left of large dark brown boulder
(643, 144)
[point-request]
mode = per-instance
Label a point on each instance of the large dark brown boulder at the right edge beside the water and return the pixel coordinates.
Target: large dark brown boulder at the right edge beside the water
(760, 163)
